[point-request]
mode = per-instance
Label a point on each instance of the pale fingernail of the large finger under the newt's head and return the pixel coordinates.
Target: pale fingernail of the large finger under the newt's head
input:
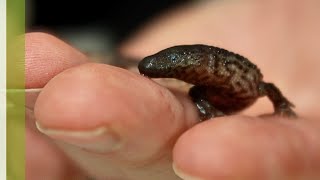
(99, 140)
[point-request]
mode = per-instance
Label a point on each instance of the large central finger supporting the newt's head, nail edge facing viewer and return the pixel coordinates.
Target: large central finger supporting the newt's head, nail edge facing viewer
(112, 122)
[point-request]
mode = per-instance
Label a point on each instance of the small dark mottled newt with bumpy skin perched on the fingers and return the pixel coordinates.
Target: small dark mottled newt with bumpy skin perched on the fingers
(224, 82)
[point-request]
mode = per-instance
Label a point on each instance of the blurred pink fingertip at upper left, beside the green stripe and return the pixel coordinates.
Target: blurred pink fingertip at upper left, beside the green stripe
(46, 56)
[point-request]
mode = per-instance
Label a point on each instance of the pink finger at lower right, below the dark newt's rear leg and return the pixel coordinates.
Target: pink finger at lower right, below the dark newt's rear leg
(249, 148)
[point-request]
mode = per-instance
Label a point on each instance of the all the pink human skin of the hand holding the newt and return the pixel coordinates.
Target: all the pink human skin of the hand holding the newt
(115, 124)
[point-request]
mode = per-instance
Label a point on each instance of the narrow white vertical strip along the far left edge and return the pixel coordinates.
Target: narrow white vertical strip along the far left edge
(3, 132)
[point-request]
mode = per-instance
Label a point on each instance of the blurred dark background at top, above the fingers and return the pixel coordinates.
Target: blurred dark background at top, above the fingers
(93, 26)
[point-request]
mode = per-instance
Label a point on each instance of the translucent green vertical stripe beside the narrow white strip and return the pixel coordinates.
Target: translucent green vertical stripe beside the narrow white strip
(15, 90)
